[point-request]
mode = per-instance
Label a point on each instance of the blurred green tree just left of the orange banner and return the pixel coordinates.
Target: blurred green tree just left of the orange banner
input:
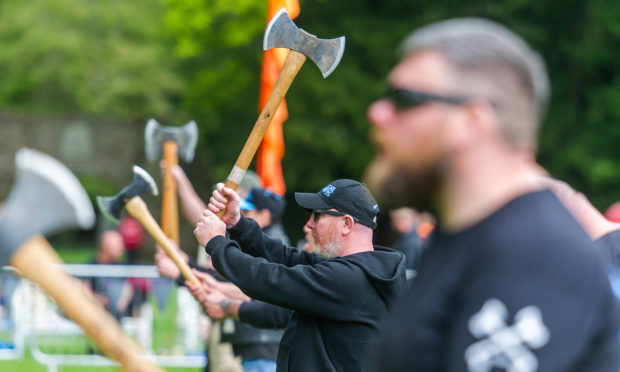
(219, 46)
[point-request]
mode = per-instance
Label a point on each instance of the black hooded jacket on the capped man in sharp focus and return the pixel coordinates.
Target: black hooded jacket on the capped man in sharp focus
(338, 303)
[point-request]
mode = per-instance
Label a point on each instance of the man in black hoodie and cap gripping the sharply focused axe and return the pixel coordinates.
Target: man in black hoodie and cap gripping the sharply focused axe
(339, 295)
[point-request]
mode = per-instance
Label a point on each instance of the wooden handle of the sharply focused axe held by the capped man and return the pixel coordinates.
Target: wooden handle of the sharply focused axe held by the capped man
(291, 67)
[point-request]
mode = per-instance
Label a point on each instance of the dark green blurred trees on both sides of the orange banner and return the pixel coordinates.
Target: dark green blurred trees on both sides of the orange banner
(327, 132)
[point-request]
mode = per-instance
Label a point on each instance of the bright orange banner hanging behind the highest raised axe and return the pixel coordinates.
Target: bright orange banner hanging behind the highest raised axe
(271, 151)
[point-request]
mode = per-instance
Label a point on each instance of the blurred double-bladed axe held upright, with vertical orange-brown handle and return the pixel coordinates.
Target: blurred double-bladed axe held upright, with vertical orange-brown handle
(174, 142)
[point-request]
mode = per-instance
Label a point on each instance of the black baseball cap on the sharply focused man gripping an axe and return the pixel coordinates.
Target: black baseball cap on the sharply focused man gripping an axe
(346, 196)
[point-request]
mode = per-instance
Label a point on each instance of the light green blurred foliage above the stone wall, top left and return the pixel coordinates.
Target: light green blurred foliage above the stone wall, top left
(106, 58)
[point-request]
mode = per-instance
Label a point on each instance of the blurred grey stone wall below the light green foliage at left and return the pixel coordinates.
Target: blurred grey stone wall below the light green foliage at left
(98, 149)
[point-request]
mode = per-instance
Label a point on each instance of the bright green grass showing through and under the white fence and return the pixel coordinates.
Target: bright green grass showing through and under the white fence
(164, 333)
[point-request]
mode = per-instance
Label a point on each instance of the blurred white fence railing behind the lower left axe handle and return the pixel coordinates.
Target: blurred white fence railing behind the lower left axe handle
(163, 318)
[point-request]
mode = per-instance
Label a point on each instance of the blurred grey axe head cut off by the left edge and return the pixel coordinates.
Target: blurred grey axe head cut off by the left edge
(46, 197)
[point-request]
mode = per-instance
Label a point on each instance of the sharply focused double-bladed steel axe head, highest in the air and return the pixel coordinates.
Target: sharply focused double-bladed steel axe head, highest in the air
(283, 33)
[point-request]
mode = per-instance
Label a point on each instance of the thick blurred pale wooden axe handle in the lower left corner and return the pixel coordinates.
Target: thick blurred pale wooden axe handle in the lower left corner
(37, 261)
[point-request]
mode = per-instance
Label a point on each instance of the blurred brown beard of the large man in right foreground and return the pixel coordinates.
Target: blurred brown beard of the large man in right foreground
(396, 186)
